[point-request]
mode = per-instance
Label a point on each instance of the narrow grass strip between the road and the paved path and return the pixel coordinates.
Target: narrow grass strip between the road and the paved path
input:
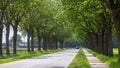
(80, 61)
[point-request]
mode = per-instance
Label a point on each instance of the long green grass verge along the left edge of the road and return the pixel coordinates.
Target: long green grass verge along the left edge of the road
(24, 55)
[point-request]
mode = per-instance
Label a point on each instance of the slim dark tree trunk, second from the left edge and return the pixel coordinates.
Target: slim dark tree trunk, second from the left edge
(7, 38)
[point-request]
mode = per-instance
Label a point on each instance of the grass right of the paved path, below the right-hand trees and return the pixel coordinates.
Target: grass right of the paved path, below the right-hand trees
(112, 62)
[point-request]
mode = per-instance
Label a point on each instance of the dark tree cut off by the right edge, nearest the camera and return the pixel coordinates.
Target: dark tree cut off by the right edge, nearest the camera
(113, 6)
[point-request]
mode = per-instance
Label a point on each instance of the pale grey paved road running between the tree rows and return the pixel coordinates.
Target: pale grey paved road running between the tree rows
(56, 60)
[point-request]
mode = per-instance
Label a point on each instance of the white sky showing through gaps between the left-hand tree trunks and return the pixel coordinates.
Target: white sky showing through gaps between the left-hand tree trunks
(11, 34)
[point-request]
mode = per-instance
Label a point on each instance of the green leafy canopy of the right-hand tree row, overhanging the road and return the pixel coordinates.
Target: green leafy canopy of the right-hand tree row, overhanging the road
(83, 15)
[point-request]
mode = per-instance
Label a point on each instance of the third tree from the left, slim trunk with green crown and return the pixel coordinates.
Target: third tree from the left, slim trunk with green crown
(17, 11)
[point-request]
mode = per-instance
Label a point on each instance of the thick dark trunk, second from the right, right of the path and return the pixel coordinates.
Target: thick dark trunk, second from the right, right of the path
(107, 33)
